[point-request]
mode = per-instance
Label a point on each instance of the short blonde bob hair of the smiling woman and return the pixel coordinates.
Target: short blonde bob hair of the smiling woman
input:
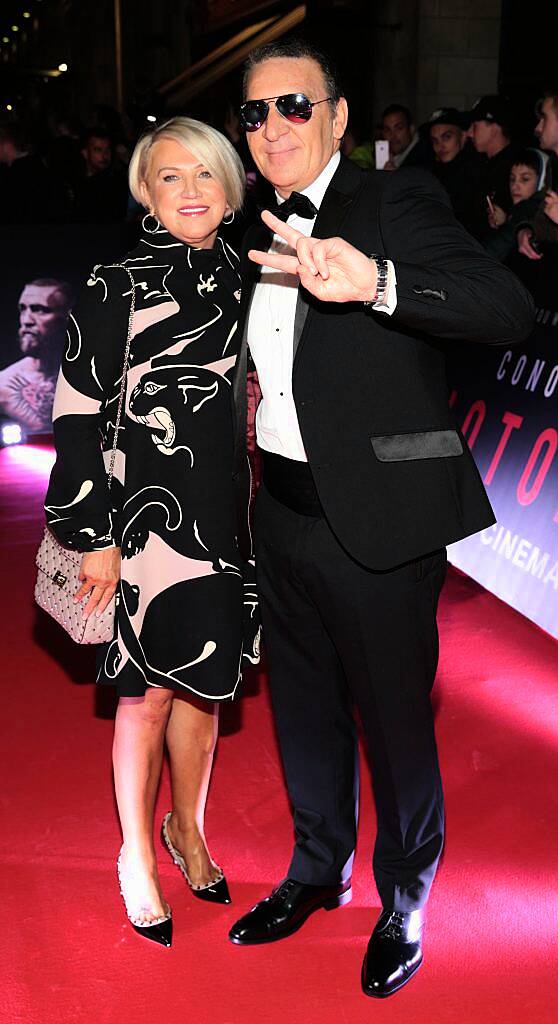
(211, 149)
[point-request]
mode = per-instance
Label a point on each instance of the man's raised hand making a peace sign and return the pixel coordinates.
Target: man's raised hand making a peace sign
(330, 269)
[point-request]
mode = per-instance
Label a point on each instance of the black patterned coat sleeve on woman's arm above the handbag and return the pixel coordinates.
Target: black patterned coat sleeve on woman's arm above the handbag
(78, 505)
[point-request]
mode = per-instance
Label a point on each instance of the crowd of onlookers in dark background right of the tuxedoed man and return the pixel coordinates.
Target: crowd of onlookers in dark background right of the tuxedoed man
(500, 189)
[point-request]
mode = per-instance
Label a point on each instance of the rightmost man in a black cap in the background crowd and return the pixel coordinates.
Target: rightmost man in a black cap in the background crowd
(491, 131)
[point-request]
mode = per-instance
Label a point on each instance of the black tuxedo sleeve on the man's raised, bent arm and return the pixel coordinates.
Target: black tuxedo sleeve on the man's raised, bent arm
(448, 286)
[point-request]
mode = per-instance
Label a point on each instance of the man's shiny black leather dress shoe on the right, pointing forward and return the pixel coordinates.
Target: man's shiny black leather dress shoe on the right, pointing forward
(395, 953)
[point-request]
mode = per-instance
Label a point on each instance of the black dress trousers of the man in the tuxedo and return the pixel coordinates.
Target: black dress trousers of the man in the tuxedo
(339, 634)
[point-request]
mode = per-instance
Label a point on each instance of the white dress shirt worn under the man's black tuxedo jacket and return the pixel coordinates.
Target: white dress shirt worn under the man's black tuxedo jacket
(271, 334)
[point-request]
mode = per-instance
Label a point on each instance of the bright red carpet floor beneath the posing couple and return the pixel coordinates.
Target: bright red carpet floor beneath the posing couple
(69, 956)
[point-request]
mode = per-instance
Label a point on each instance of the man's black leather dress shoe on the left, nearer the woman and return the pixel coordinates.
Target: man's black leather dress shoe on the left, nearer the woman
(286, 911)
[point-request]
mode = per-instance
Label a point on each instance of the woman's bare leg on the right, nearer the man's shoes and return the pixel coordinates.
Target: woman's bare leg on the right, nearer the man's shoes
(192, 736)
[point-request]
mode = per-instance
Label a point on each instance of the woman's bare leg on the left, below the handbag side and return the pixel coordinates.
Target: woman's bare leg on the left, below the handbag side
(138, 755)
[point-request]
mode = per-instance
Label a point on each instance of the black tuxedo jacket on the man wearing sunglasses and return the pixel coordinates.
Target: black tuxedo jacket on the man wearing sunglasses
(395, 477)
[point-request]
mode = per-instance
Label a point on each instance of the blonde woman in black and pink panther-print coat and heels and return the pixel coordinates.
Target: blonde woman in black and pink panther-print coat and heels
(164, 536)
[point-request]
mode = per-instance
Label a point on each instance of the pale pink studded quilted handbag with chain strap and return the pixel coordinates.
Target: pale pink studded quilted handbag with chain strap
(59, 568)
